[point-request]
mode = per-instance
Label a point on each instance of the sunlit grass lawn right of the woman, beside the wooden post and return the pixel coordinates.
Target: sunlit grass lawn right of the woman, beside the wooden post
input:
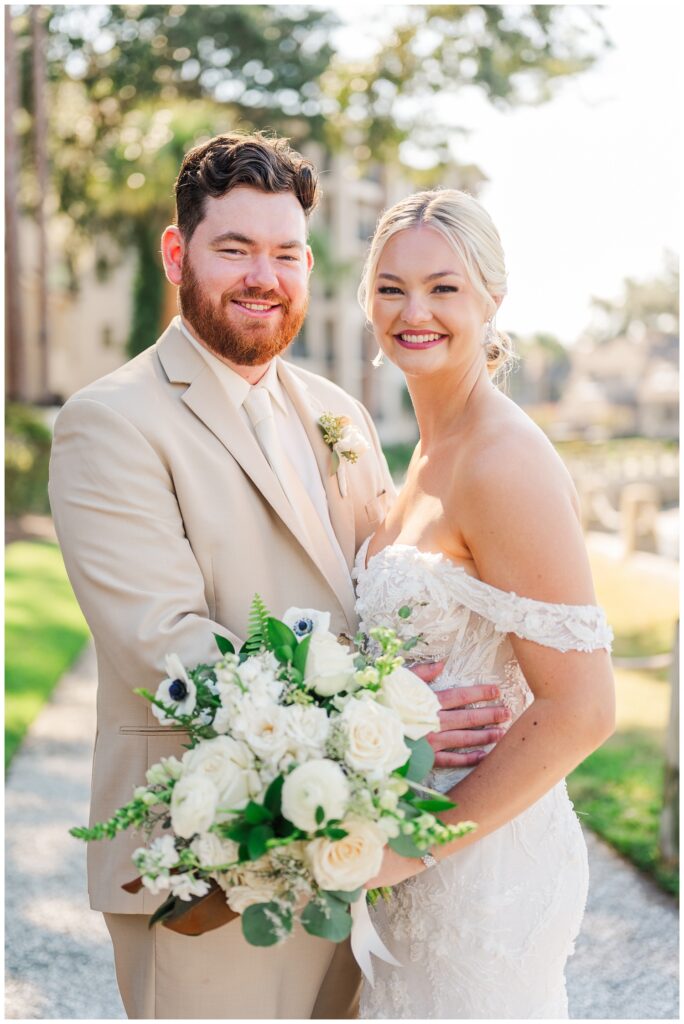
(618, 791)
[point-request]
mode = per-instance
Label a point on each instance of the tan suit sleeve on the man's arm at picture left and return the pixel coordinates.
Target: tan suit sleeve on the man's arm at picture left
(129, 559)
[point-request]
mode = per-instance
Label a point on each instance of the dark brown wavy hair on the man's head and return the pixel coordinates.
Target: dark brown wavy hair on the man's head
(241, 159)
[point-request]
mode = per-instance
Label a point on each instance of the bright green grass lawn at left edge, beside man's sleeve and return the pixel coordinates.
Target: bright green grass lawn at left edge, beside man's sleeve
(45, 632)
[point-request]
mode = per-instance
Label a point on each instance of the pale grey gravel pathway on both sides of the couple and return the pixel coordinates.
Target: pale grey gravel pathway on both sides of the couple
(59, 960)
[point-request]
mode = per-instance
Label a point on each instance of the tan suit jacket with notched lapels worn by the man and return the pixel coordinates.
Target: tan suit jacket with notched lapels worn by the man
(170, 520)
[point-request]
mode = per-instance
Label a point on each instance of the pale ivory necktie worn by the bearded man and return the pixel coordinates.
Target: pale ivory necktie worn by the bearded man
(261, 411)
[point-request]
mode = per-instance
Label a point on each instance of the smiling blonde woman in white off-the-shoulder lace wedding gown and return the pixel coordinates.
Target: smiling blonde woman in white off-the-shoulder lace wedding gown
(485, 544)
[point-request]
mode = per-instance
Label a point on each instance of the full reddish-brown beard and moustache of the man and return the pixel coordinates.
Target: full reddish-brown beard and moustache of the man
(249, 344)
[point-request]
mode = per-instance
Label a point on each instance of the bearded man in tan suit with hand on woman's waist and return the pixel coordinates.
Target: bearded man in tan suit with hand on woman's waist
(184, 484)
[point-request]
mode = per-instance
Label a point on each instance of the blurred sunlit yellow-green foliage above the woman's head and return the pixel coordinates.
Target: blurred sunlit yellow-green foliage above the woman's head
(514, 56)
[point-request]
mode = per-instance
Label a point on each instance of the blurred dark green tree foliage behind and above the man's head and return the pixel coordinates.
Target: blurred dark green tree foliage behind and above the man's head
(135, 88)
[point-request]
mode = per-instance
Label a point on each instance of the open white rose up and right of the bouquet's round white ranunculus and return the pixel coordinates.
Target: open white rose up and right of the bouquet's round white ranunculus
(375, 739)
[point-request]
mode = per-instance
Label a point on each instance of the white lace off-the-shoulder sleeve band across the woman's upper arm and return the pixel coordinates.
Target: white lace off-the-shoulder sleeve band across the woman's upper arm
(565, 627)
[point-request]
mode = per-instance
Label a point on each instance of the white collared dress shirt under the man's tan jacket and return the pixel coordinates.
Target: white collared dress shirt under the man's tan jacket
(292, 434)
